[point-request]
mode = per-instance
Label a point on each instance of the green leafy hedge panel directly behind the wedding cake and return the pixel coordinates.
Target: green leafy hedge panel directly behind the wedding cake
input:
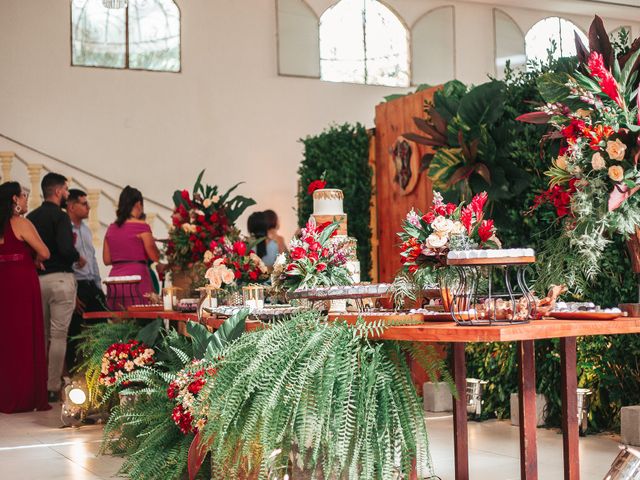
(342, 153)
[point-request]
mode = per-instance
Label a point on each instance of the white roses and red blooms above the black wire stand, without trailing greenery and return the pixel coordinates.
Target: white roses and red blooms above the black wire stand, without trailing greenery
(426, 238)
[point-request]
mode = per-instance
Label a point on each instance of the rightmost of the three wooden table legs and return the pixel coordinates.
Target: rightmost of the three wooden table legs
(570, 429)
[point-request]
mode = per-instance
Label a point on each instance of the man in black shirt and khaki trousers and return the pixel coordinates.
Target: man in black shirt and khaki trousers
(57, 282)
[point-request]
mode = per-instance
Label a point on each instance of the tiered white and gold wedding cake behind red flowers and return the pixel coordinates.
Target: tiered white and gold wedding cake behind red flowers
(328, 207)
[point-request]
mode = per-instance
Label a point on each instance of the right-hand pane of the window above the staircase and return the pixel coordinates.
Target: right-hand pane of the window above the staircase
(154, 35)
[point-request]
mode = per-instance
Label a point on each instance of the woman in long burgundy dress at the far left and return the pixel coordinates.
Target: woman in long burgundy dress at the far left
(23, 366)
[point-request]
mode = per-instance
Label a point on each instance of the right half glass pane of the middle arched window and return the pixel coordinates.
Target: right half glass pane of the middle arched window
(387, 46)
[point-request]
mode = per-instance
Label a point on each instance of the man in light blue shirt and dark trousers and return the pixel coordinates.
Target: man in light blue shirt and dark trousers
(90, 297)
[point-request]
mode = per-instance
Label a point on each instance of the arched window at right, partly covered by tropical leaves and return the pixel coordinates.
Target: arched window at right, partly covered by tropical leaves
(552, 30)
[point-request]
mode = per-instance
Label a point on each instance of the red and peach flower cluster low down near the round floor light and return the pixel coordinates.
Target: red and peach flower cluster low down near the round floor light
(123, 358)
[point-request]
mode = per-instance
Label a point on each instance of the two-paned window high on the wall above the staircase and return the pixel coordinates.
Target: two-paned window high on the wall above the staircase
(144, 35)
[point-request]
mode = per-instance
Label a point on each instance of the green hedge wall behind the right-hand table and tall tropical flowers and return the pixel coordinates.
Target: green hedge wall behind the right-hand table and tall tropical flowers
(608, 365)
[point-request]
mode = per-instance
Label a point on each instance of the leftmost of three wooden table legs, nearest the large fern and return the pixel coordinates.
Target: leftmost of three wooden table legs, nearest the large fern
(460, 435)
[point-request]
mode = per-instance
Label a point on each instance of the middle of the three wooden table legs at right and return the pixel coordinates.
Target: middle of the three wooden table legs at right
(528, 413)
